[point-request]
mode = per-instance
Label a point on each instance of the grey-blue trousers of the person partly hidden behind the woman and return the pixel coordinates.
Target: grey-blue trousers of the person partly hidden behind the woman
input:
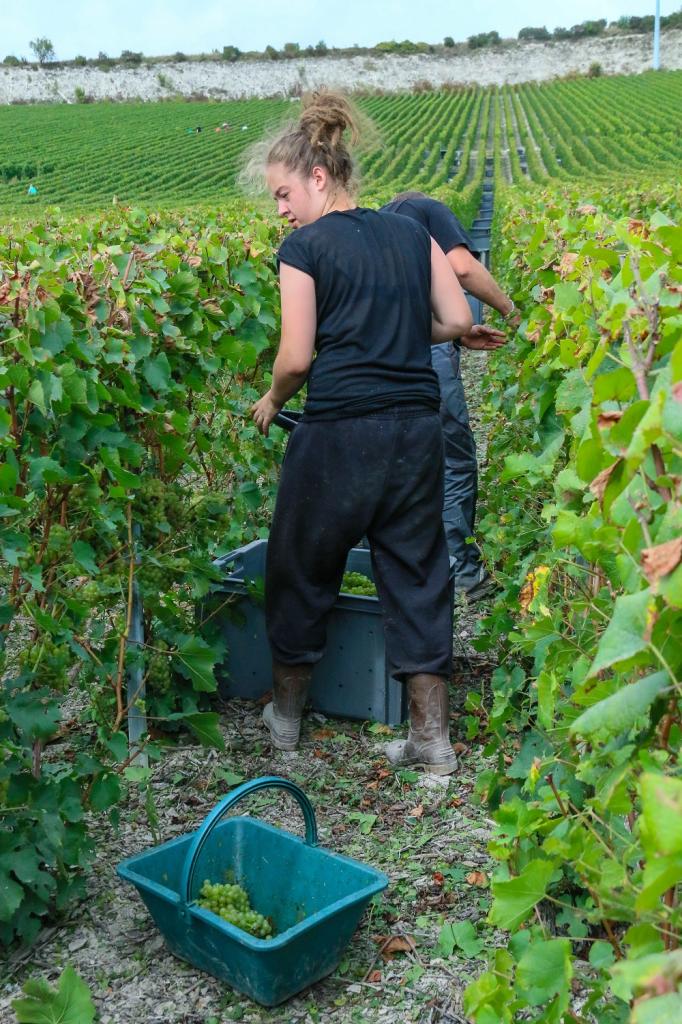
(461, 467)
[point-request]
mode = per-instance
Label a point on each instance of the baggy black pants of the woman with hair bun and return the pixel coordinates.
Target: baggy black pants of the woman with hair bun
(379, 476)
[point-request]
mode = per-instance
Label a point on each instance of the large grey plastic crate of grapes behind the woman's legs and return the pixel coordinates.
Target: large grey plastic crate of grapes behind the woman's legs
(352, 680)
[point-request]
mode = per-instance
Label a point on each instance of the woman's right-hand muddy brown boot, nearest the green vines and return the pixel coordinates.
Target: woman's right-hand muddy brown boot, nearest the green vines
(428, 746)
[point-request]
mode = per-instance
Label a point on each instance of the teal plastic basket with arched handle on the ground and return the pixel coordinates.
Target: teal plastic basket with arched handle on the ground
(315, 899)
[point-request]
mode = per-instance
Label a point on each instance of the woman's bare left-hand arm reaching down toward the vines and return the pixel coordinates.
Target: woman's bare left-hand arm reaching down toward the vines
(300, 324)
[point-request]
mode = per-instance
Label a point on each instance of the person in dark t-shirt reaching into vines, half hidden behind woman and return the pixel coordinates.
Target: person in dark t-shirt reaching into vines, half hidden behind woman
(461, 466)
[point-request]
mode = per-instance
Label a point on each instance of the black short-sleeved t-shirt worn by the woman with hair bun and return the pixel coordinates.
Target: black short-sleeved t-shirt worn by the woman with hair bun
(373, 290)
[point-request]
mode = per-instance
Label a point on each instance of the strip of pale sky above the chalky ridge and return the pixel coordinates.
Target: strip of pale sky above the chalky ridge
(161, 27)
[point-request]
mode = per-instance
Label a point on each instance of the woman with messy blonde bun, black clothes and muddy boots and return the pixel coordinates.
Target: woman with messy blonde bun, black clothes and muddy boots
(365, 293)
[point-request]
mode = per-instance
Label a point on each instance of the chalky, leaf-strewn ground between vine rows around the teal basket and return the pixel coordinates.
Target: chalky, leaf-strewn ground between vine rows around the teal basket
(429, 834)
